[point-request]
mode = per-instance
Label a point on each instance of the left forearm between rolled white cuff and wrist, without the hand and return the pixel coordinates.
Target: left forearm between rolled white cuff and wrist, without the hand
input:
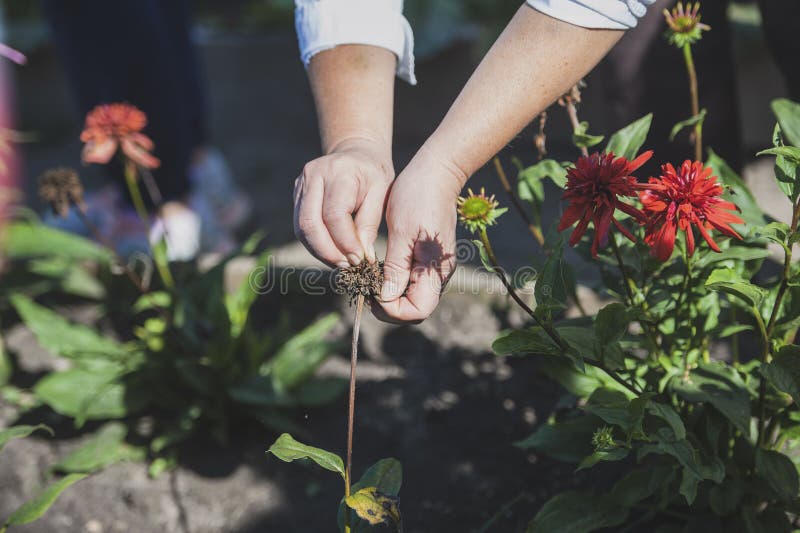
(353, 87)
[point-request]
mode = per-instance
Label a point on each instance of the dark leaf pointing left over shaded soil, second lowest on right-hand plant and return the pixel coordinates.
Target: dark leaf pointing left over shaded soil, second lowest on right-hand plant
(568, 441)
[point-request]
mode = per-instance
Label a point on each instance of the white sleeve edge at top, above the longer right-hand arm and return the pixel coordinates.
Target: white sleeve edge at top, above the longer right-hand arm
(605, 14)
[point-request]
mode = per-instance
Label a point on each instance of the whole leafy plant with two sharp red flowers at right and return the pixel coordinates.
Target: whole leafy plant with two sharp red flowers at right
(683, 258)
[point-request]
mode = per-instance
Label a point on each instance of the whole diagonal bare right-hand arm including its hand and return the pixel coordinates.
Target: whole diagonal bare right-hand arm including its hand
(534, 61)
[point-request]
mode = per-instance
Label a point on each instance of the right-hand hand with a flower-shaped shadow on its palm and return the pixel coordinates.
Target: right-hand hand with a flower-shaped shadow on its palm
(421, 215)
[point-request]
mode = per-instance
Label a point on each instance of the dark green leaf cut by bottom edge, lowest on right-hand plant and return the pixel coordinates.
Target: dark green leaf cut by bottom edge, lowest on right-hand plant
(577, 512)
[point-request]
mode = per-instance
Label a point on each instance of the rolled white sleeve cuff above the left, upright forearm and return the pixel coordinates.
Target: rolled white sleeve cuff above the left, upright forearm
(324, 24)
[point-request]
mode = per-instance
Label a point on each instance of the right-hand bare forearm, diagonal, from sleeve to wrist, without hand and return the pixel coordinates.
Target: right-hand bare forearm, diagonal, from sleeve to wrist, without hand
(533, 62)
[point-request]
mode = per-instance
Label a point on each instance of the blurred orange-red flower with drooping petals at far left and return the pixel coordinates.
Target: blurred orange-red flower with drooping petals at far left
(112, 126)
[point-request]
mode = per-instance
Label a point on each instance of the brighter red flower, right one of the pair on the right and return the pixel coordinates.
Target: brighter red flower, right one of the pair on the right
(678, 200)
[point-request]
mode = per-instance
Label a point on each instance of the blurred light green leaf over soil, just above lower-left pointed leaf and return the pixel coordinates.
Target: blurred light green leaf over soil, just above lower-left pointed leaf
(102, 449)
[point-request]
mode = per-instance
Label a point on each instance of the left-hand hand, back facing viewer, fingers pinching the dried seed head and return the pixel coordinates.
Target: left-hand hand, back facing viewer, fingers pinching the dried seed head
(338, 201)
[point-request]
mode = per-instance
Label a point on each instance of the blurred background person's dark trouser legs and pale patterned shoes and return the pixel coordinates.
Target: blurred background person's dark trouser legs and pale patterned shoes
(141, 52)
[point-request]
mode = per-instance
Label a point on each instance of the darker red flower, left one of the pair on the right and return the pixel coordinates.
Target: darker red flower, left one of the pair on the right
(594, 186)
